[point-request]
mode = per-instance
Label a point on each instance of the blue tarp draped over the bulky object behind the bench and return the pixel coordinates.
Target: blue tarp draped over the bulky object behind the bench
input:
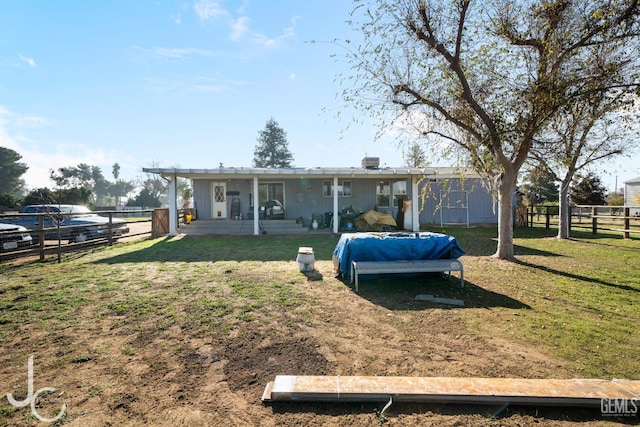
(393, 247)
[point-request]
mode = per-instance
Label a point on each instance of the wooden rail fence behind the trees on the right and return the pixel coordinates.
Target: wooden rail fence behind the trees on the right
(622, 219)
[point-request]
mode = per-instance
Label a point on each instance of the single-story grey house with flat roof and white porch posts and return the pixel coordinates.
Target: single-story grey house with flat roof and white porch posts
(412, 196)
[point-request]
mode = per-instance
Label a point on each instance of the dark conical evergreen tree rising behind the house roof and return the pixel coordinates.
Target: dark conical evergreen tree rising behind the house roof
(272, 150)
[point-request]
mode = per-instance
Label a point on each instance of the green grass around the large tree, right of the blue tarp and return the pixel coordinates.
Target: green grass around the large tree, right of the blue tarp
(582, 294)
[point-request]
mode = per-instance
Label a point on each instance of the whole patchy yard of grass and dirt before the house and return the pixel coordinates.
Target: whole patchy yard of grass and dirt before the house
(188, 331)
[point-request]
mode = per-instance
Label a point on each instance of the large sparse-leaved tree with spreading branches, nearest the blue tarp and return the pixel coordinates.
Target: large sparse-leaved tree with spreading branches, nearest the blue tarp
(488, 76)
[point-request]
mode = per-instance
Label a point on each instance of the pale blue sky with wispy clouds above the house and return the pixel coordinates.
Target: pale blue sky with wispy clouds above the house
(183, 83)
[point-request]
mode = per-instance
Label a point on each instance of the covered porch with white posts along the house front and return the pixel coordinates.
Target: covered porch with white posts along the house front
(306, 194)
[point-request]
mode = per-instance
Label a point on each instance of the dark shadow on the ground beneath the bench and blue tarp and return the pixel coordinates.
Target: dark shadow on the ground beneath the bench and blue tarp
(399, 293)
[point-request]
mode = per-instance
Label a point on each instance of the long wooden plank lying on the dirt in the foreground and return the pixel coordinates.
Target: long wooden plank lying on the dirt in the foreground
(568, 392)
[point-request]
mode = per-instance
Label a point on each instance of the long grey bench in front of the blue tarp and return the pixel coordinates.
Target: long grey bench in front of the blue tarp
(406, 266)
